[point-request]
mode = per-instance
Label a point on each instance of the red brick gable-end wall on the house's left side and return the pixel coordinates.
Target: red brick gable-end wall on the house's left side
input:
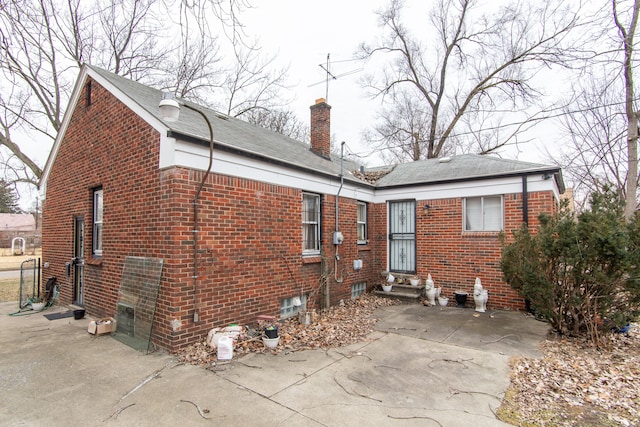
(105, 146)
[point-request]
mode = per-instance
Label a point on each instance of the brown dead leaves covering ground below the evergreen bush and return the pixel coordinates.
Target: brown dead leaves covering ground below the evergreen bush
(577, 384)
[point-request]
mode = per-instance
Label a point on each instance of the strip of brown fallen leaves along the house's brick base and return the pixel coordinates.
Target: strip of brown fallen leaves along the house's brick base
(348, 323)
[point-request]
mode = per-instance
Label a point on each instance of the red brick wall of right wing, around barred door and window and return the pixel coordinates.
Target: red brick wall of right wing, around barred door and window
(455, 258)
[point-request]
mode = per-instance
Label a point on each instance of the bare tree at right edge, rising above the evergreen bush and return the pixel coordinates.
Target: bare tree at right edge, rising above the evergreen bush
(600, 122)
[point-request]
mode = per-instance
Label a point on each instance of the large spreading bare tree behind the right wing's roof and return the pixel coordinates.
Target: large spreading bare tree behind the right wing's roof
(473, 64)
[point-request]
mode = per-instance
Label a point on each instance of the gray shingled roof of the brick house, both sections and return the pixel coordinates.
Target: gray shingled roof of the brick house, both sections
(253, 140)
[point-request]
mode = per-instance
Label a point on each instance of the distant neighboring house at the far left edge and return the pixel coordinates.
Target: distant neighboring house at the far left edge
(18, 231)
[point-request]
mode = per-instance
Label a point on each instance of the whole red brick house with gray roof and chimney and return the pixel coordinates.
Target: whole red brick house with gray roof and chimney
(121, 182)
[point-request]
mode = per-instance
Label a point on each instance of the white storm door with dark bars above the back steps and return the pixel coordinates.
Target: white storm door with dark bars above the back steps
(402, 236)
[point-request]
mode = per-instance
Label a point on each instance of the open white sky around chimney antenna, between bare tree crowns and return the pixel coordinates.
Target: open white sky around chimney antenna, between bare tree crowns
(302, 34)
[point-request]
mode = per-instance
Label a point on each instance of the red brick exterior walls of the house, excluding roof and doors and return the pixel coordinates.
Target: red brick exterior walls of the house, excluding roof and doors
(249, 239)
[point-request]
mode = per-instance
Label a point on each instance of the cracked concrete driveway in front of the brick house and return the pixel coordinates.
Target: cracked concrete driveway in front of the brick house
(423, 366)
